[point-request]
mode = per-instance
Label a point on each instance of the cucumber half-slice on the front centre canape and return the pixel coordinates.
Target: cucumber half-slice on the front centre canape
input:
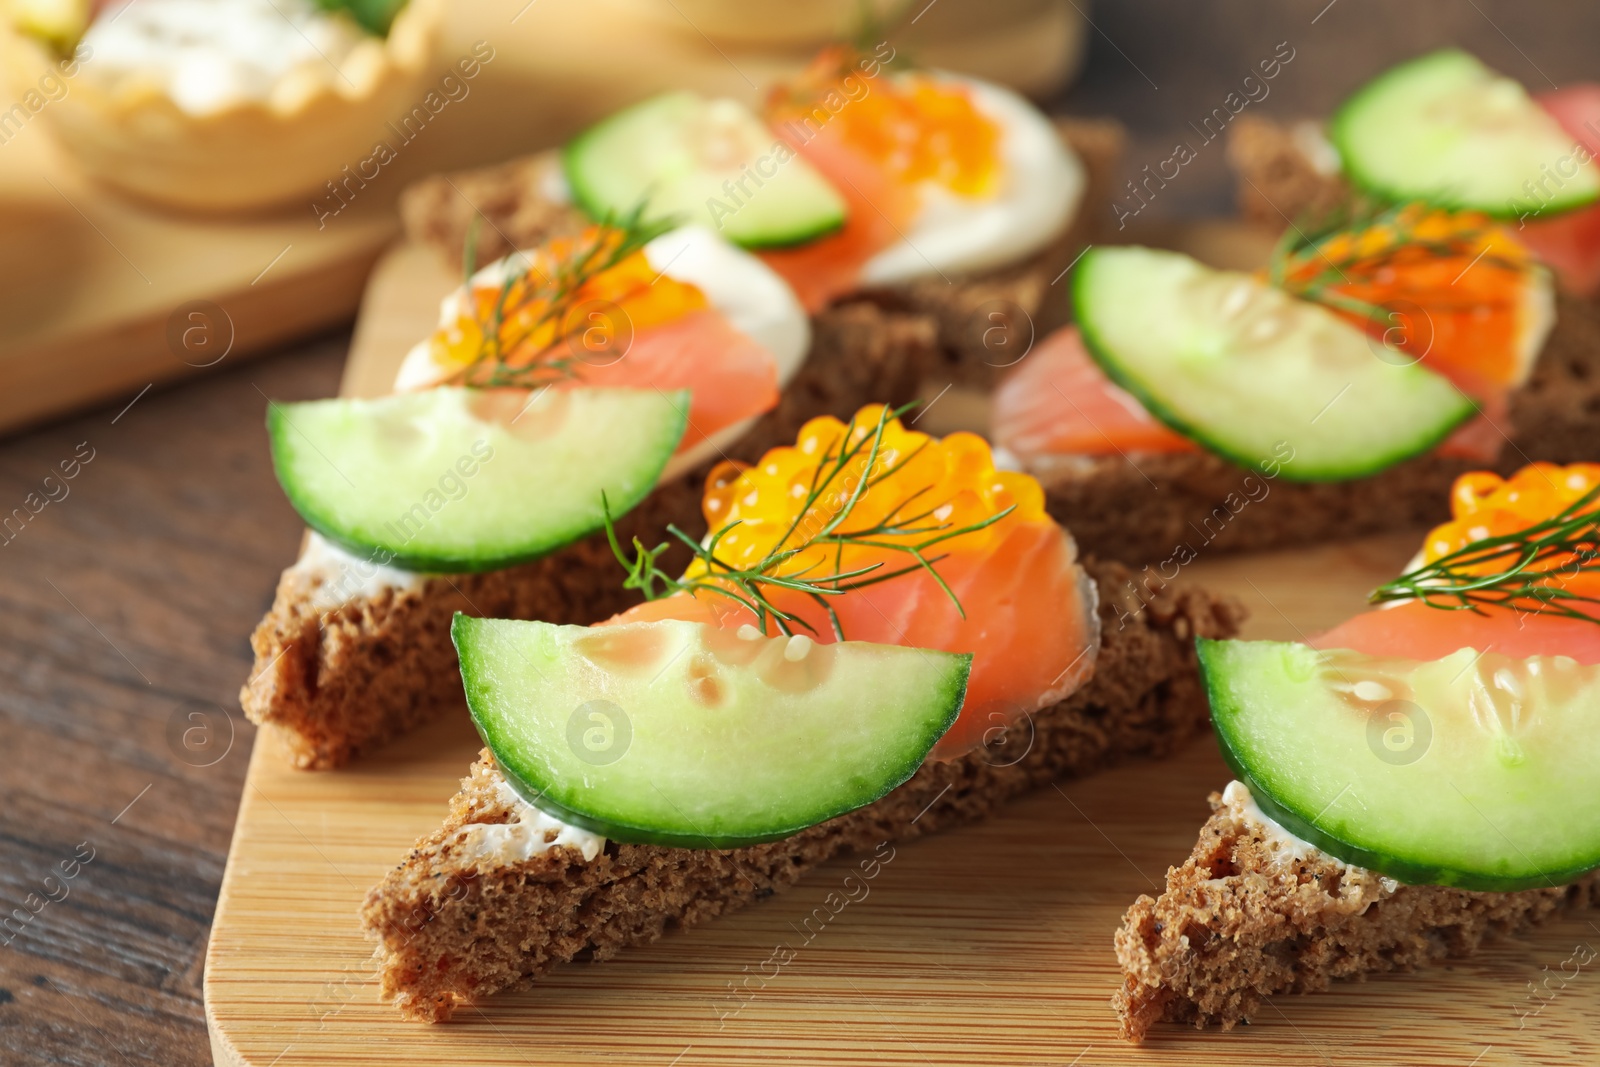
(686, 735)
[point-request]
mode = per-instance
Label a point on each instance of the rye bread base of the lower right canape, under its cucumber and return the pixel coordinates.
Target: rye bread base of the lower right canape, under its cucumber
(1247, 919)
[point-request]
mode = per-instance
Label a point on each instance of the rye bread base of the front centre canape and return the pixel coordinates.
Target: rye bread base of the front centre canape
(457, 922)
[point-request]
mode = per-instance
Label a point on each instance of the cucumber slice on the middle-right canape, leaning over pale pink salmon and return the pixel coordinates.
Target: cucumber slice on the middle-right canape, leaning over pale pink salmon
(1255, 375)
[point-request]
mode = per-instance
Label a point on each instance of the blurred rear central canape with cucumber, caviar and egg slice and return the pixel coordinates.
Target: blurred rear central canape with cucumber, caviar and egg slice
(938, 191)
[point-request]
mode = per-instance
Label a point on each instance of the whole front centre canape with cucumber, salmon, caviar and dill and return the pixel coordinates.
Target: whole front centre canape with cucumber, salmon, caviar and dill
(882, 636)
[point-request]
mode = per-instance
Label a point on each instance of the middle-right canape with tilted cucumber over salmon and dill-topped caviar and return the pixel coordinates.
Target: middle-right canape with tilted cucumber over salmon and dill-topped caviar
(1337, 393)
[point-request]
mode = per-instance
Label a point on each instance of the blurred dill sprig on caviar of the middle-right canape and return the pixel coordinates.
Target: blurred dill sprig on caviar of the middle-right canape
(1305, 262)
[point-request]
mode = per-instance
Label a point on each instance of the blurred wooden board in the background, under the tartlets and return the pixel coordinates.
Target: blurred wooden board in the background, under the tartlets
(102, 297)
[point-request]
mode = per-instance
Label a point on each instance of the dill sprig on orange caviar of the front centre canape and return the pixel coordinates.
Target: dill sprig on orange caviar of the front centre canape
(751, 586)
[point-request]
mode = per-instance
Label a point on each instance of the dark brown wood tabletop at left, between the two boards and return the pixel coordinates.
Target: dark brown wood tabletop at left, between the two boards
(126, 609)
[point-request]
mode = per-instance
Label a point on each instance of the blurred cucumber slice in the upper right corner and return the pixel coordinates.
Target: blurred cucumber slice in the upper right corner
(1449, 130)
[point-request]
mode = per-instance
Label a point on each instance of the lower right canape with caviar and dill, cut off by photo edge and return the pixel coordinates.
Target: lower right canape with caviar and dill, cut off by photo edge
(1409, 785)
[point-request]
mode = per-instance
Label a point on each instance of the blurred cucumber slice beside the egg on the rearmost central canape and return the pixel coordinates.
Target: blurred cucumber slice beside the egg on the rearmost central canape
(708, 162)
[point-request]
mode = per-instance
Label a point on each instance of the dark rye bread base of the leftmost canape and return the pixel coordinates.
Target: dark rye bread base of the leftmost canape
(342, 679)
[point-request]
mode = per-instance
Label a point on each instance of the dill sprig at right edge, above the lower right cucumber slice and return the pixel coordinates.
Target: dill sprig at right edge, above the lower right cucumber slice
(1567, 545)
